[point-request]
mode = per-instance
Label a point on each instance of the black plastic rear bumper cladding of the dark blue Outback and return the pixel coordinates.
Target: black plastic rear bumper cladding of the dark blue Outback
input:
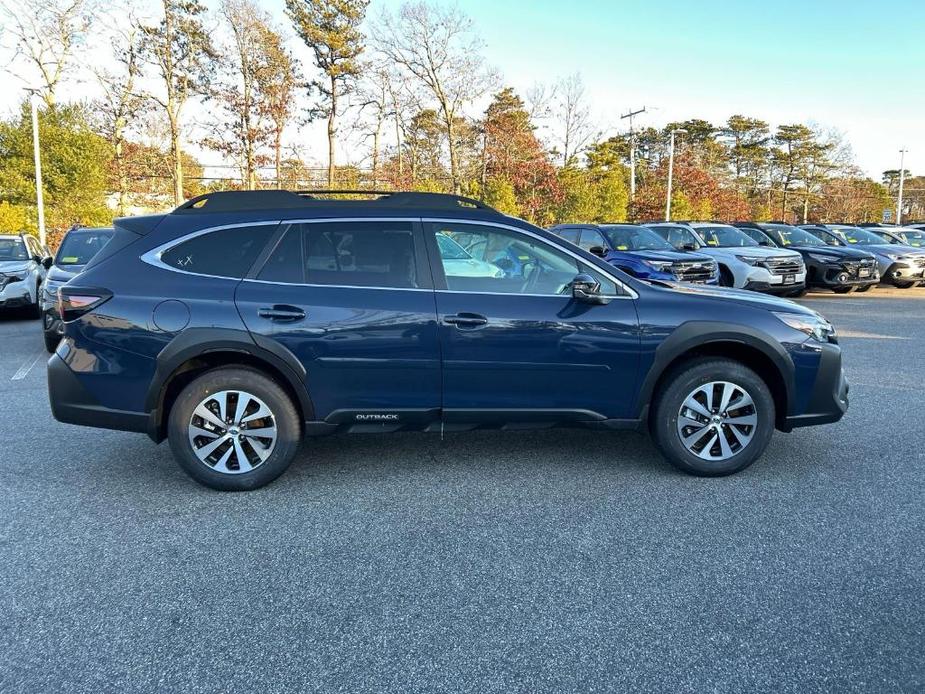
(71, 403)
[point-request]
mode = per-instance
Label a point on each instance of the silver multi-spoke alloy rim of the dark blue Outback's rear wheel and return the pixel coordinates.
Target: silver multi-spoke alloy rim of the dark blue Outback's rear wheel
(232, 432)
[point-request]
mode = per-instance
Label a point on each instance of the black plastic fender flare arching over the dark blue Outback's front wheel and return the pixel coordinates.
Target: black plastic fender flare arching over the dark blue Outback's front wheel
(693, 334)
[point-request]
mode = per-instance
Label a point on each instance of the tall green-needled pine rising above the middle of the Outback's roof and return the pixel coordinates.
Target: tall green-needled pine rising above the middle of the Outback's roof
(331, 29)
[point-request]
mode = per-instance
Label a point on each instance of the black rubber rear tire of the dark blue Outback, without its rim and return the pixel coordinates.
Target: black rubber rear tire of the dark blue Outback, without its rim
(255, 383)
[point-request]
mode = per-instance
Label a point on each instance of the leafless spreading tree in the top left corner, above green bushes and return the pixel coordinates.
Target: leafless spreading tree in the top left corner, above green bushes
(45, 34)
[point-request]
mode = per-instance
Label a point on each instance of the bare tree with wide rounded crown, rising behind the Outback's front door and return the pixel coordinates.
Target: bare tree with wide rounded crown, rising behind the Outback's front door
(437, 46)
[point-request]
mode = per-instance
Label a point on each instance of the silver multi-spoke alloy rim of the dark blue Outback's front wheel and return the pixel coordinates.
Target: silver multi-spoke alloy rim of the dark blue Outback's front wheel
(717, 420)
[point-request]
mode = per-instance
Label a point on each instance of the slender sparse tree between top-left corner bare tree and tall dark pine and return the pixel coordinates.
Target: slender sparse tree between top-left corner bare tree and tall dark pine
(120, 106)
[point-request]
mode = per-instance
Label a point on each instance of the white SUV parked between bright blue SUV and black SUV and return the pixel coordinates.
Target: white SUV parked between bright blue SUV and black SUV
(742, 262)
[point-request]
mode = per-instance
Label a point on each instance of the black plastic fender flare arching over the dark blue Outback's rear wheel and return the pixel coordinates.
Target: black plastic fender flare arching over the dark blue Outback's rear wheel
(198, 342)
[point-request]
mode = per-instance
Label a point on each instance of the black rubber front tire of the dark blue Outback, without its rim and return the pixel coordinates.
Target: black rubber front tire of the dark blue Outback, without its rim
(683, 380)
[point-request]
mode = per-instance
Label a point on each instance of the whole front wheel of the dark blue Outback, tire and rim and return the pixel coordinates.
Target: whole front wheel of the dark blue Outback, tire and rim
(713, 417)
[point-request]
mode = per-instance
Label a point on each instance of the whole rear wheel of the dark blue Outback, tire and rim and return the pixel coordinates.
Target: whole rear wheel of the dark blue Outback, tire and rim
(234, 429)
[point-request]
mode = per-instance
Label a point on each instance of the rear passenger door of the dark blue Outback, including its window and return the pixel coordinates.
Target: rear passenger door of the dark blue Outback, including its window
(353, 300)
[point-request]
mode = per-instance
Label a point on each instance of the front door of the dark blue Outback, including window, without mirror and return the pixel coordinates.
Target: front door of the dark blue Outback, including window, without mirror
(515, 344)
